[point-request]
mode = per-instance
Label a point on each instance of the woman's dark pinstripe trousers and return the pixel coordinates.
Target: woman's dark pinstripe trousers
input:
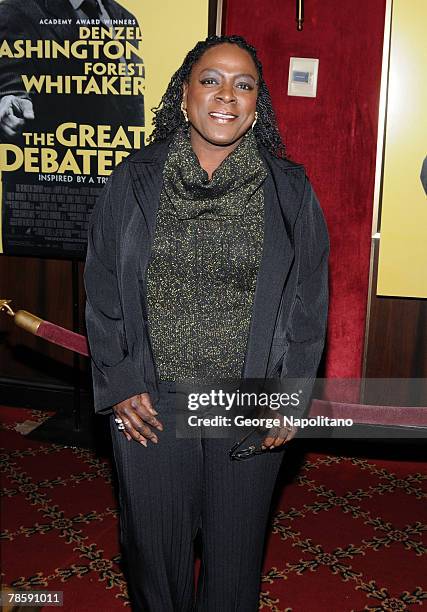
(170, 490)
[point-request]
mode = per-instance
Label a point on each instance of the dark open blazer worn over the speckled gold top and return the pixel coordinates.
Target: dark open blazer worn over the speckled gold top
(288, 324)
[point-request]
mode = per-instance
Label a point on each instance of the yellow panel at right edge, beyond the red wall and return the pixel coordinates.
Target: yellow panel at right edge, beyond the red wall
(402, 268)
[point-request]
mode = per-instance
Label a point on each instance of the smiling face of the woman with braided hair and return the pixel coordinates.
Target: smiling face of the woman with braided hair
(221, 95)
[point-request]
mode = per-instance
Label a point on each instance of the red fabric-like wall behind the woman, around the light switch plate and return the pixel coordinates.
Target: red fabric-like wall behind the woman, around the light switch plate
(334, 135)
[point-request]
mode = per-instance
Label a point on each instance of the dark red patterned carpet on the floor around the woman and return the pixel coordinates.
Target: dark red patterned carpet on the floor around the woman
(346, 532)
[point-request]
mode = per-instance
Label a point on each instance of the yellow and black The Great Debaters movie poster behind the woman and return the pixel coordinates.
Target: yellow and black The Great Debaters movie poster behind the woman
(73, 103)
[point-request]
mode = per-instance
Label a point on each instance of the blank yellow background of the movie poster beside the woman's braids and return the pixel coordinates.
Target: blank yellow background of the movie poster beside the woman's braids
(170, 28)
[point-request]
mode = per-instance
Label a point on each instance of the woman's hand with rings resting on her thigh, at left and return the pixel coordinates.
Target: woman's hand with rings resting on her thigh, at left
(137, 413)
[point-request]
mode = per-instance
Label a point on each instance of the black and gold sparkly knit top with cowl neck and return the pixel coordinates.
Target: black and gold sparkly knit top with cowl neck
(204, 263)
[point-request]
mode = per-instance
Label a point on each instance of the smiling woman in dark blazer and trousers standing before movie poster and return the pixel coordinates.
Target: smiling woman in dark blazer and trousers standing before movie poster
(207, 260)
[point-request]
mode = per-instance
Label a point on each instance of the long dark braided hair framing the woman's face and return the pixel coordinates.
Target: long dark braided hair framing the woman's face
(168, 116)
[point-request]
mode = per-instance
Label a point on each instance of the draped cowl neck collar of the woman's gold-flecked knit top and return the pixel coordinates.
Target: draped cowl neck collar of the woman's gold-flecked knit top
(190, 192)
